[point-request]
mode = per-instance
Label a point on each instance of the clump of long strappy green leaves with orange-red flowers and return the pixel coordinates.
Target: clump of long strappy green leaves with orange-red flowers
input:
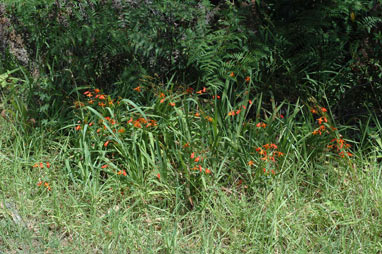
(127, 140)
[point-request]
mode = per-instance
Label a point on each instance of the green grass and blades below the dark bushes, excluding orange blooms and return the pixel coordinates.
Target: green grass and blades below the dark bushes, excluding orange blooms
(317, 202)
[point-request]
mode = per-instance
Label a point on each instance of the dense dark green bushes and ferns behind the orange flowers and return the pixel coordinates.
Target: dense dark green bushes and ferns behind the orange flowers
(330, 50)
